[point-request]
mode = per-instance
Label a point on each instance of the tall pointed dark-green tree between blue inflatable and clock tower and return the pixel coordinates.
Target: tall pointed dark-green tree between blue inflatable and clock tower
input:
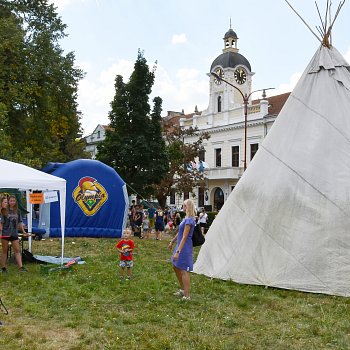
(134, 146)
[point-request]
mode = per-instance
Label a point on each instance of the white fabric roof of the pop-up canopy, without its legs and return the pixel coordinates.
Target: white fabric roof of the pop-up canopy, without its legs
(14, 175)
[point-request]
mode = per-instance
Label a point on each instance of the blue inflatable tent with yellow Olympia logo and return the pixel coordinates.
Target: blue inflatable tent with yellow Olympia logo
(97, 200)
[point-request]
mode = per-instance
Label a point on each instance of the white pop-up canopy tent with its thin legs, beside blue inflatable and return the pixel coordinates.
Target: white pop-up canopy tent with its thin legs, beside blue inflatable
(19, 176)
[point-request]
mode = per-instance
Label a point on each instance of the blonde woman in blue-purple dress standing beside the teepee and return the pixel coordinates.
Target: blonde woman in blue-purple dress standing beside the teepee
(182, 257)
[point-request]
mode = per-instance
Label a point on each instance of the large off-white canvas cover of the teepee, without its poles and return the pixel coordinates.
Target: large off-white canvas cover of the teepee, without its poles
(287, 222)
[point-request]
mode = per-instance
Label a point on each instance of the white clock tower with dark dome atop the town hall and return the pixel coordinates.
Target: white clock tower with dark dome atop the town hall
(236, 69)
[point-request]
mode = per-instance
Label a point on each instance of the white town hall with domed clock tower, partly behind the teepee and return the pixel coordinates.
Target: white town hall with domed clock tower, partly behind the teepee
(232, 145)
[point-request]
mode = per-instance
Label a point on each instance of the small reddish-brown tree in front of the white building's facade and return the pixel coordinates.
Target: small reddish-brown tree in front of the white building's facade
(181, 154)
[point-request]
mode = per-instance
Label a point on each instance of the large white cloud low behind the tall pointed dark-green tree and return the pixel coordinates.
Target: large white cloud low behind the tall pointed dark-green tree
(95, 94)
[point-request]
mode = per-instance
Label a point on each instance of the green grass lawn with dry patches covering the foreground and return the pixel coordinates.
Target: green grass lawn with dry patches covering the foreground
(88, 307)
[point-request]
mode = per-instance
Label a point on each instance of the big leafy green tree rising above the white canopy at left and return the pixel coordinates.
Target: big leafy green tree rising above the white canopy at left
(39, 85)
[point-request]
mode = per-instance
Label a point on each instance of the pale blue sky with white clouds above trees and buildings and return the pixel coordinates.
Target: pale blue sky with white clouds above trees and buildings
(184, 37)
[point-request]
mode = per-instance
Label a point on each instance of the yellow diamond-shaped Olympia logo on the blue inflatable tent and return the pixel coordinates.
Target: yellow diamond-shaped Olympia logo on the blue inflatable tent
(90, 195)
